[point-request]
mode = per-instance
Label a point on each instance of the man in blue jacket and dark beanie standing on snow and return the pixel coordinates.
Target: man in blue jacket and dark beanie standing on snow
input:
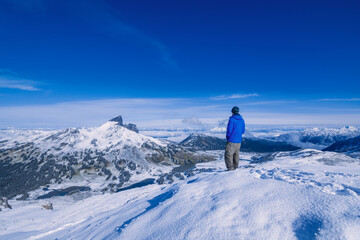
(235, 130)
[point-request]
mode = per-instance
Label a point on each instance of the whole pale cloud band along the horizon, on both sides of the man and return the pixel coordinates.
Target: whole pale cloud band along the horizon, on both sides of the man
(149, 113)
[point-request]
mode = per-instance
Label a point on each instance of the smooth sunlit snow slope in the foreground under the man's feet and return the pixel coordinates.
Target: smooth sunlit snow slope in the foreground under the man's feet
(305, 194)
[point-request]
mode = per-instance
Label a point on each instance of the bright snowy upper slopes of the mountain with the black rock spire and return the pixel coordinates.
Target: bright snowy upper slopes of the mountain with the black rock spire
(107, 135)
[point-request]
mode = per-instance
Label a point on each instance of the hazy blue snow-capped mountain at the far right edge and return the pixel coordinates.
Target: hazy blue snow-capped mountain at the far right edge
(318, 138)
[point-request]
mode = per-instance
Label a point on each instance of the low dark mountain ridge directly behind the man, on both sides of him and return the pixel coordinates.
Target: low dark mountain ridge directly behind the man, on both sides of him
(205, 142)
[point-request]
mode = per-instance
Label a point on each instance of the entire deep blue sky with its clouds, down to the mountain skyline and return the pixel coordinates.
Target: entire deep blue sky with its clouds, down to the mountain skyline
(81, 62)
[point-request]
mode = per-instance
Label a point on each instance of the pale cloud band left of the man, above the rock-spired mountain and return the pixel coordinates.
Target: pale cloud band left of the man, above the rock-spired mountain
(145, 112)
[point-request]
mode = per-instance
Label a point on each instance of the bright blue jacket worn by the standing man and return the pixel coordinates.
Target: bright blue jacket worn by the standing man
(235, 129)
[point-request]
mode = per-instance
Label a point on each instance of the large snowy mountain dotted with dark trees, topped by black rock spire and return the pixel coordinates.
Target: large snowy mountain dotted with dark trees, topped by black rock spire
(103, 159)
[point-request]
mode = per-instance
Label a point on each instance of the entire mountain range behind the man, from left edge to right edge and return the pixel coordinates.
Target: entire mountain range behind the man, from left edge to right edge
(111, 157)
